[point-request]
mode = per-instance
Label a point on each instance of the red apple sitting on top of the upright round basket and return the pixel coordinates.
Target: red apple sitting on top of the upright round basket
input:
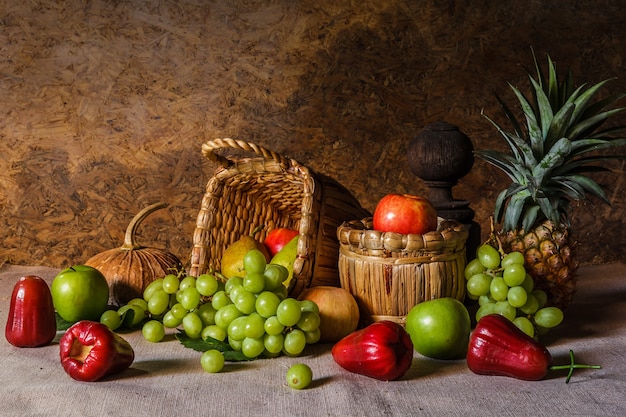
(405, 213)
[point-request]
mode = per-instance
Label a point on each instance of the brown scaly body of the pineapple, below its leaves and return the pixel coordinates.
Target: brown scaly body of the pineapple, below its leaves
(549, 259)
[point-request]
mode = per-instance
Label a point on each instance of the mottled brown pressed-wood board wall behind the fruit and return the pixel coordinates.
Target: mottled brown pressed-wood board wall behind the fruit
(104, 105)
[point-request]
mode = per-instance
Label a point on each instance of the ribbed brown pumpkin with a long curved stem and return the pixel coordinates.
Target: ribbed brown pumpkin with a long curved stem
(131, 267)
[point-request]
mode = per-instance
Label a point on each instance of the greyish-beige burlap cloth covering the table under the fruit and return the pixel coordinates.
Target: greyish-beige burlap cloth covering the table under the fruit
(166, 379)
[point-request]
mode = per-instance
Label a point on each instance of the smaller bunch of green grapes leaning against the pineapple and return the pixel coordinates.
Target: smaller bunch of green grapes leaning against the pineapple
(502, 286)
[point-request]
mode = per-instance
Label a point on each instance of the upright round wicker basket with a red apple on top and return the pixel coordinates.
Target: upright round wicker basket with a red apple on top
(389, 273)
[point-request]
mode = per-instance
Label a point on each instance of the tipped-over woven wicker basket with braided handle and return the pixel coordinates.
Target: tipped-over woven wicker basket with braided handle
(273, 191)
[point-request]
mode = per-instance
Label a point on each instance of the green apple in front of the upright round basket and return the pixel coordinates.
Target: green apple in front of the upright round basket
(439, 328)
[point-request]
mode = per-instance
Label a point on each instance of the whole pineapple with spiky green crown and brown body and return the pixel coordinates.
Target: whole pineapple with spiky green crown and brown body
(547, 163)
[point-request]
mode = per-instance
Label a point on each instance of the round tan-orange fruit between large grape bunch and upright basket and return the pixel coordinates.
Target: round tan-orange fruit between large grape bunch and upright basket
(338, 310)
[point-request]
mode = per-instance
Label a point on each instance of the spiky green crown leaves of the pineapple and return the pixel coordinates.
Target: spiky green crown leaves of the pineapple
(549, 151)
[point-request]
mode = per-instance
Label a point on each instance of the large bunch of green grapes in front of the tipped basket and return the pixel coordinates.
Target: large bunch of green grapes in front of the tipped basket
(251, 314)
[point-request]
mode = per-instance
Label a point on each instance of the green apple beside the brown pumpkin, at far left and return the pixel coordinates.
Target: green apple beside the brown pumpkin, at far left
(80, 293)
